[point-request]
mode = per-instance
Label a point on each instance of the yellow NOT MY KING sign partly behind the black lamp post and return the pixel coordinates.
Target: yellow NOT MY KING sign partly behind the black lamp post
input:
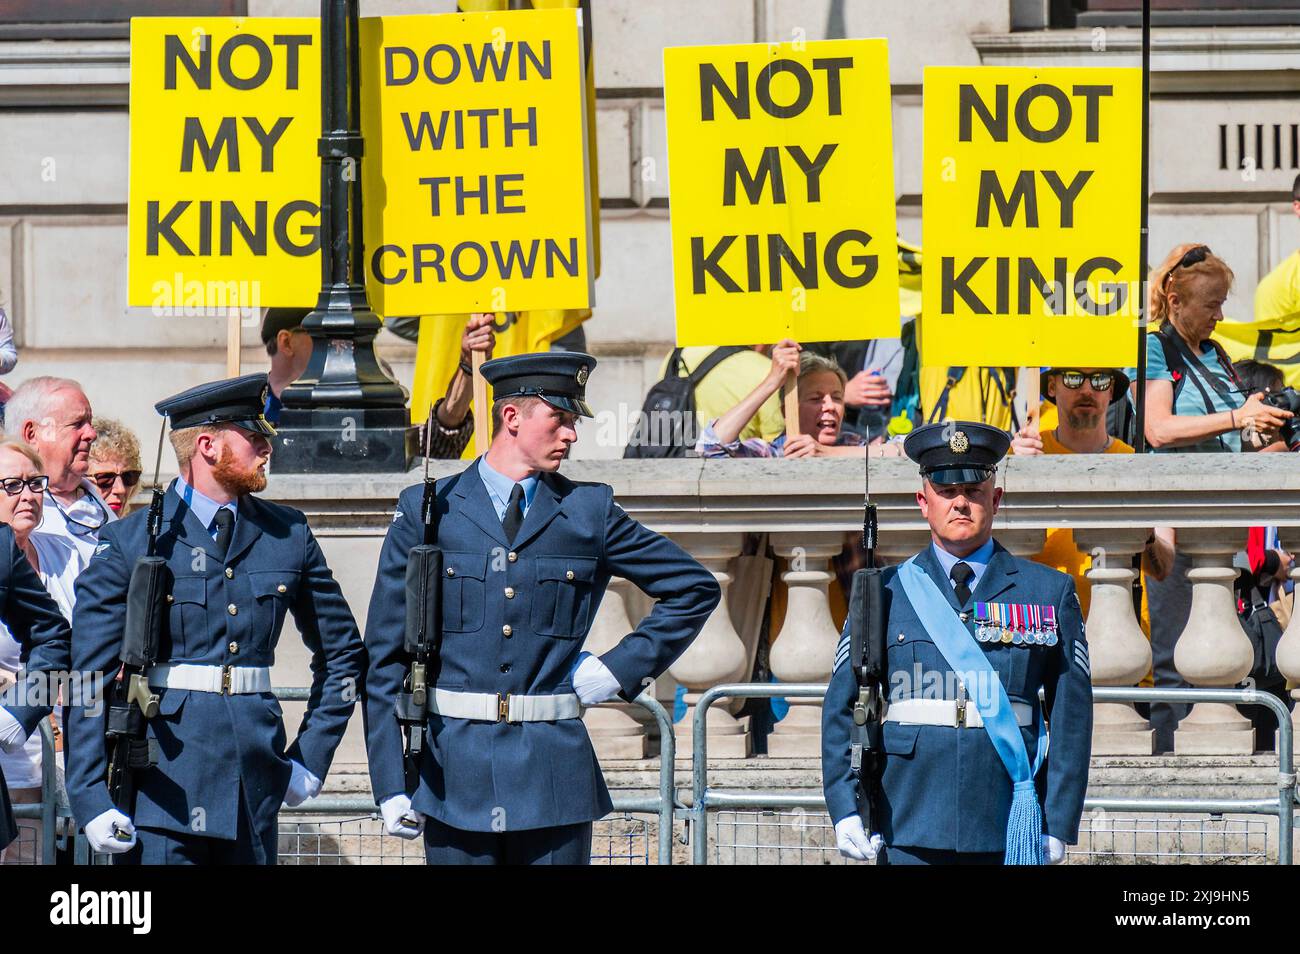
(224, 205)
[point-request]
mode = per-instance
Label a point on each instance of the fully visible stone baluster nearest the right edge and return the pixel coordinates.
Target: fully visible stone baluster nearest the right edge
(1214, 651)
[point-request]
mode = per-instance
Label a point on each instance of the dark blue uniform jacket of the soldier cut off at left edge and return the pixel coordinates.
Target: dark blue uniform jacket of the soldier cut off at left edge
(42, 632)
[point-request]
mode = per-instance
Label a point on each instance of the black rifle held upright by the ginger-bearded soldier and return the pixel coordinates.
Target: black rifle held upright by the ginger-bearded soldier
(133, 704)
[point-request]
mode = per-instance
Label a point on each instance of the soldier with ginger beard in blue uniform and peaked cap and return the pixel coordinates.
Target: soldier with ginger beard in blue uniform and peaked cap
(239, 565)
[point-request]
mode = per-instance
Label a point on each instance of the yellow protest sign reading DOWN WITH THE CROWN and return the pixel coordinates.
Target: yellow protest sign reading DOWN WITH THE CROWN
(475, 125)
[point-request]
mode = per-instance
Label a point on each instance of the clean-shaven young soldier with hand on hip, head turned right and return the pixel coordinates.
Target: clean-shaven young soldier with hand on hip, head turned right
(509, 774)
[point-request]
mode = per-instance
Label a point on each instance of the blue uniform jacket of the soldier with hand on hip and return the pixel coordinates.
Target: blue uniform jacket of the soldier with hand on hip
(493, 777)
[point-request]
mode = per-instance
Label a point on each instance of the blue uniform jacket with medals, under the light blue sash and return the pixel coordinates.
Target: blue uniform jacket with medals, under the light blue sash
(947, 788)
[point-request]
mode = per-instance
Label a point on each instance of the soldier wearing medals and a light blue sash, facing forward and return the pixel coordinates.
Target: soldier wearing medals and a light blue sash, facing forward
(973, 635)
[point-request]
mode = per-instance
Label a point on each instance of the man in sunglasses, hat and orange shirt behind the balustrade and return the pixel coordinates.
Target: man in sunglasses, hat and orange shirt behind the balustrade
(1081, 398)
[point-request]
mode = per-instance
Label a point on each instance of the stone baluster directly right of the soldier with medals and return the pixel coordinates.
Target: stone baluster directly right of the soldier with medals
(1119, 651)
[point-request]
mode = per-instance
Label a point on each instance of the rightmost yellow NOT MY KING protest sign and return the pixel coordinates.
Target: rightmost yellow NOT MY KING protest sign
(1030, 219)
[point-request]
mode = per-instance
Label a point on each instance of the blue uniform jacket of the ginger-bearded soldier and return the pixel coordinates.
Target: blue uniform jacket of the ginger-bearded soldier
(226, 612)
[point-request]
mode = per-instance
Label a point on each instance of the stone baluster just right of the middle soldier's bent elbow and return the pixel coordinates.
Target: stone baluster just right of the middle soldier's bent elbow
(717, 656)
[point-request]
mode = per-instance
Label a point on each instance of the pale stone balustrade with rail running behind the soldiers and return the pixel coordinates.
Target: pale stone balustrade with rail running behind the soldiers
(803, 513)
